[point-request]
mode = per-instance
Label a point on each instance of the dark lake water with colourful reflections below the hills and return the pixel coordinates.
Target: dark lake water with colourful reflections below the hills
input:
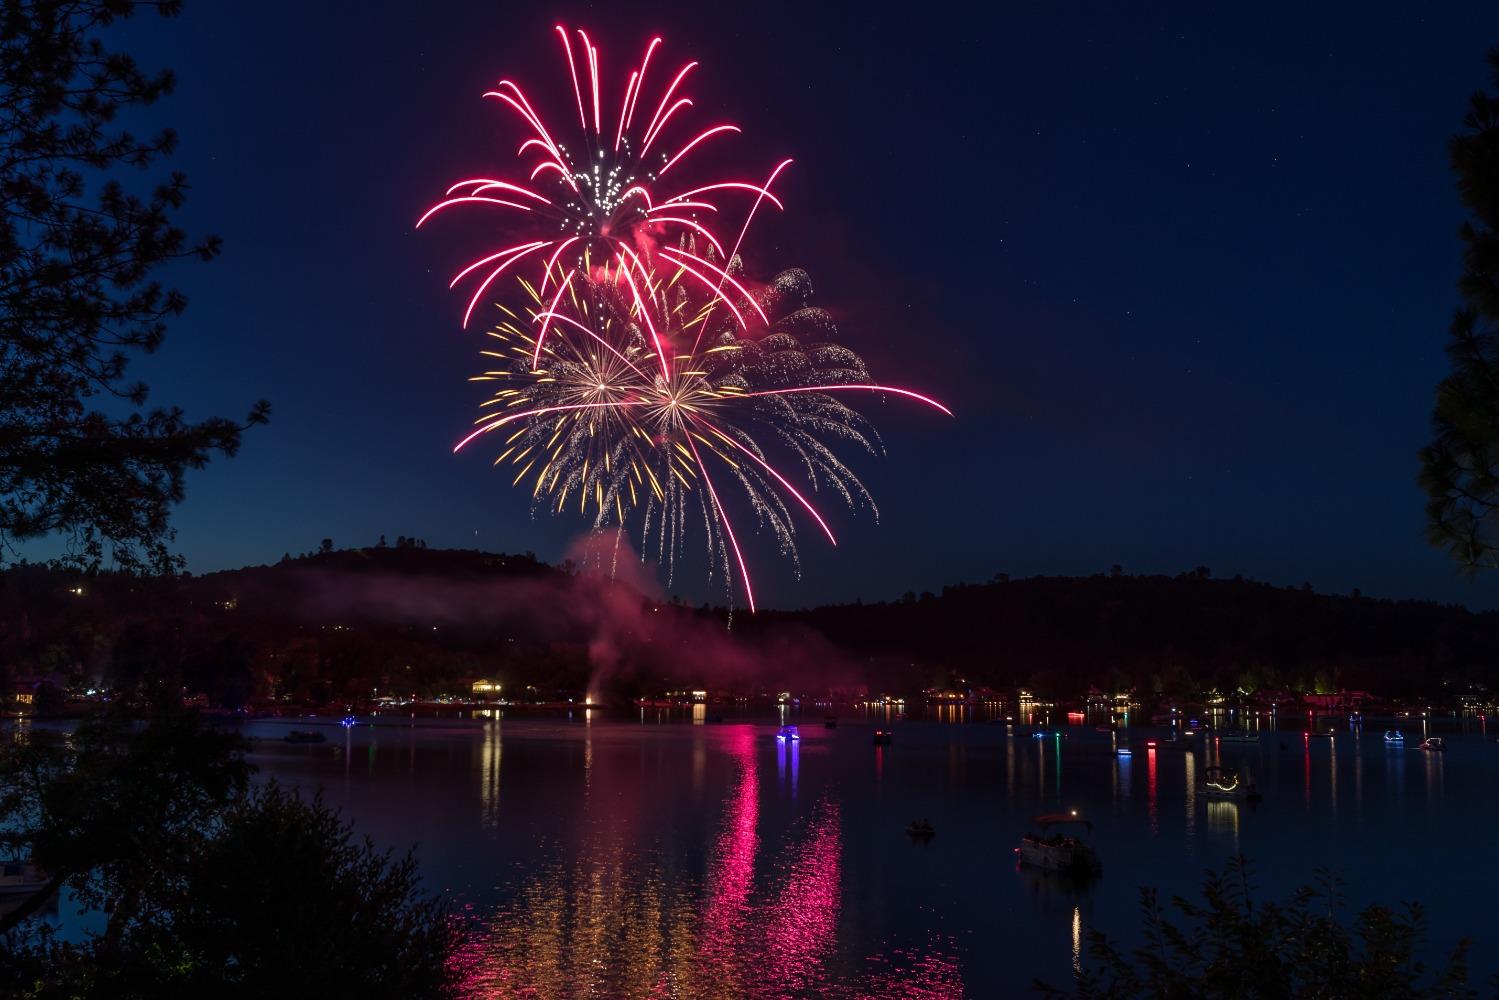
(645, 858)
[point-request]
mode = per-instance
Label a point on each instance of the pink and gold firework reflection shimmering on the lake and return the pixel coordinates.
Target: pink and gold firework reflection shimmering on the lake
(609, 921)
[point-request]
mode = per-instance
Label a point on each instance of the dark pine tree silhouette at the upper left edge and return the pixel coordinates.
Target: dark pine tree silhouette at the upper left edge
(79, 299)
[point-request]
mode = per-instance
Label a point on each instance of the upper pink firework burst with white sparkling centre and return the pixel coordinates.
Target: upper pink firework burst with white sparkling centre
(618, 193)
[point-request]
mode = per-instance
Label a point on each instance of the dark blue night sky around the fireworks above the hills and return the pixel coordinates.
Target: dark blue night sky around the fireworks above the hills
(1185, 277)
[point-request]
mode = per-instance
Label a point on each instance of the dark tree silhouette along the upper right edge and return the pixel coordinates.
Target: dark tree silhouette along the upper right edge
(1461, 467)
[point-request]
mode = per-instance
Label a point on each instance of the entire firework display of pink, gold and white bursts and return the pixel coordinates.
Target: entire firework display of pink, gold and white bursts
(638, 379)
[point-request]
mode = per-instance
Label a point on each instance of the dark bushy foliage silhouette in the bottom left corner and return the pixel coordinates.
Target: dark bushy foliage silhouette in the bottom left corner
(209, 887)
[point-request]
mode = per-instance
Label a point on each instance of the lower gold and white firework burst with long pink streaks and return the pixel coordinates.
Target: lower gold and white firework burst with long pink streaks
(633, 397)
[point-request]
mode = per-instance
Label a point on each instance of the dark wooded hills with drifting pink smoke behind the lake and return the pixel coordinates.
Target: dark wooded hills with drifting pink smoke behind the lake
(347, 624)
